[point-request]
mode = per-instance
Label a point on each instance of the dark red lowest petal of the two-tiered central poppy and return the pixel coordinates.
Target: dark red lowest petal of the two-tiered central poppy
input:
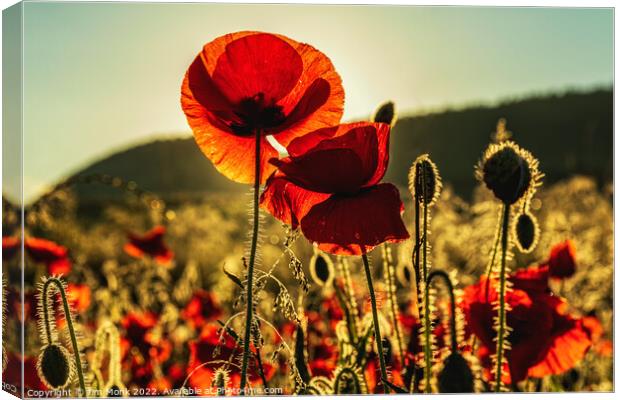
(355, 224)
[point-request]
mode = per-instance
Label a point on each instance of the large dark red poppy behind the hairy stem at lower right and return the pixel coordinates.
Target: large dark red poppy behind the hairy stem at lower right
(544, 339)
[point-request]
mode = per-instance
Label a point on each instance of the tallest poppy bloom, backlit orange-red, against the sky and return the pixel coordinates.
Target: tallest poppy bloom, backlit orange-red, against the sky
(247, 81)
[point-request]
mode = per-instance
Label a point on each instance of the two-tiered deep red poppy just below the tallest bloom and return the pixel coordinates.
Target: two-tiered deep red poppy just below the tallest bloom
(329, 185)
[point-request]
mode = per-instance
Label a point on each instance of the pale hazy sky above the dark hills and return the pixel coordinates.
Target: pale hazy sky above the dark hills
(99, 77)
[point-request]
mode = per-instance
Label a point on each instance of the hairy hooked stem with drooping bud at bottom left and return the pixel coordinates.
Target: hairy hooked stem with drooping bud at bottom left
(69, 320)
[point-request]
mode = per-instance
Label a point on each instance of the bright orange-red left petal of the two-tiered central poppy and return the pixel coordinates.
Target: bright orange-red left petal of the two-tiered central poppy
(288, 202)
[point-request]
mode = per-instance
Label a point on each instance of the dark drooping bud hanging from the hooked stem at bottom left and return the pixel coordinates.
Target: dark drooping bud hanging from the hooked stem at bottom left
(54, 366)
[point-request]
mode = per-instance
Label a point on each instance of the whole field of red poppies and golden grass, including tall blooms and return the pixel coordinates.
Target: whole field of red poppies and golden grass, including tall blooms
(327, 278)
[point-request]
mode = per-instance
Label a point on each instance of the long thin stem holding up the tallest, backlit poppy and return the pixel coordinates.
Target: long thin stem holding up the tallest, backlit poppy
(250, 276)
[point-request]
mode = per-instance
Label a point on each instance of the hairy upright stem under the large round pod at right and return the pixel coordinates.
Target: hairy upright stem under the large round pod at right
(501, 332)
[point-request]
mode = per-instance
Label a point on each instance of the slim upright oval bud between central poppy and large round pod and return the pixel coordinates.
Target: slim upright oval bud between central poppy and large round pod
(424, 181)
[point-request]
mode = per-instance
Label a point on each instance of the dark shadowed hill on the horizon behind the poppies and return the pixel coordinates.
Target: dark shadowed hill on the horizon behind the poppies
(569, 133)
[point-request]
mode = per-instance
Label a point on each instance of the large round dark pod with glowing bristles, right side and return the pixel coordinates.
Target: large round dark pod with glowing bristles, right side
(508, 171)
